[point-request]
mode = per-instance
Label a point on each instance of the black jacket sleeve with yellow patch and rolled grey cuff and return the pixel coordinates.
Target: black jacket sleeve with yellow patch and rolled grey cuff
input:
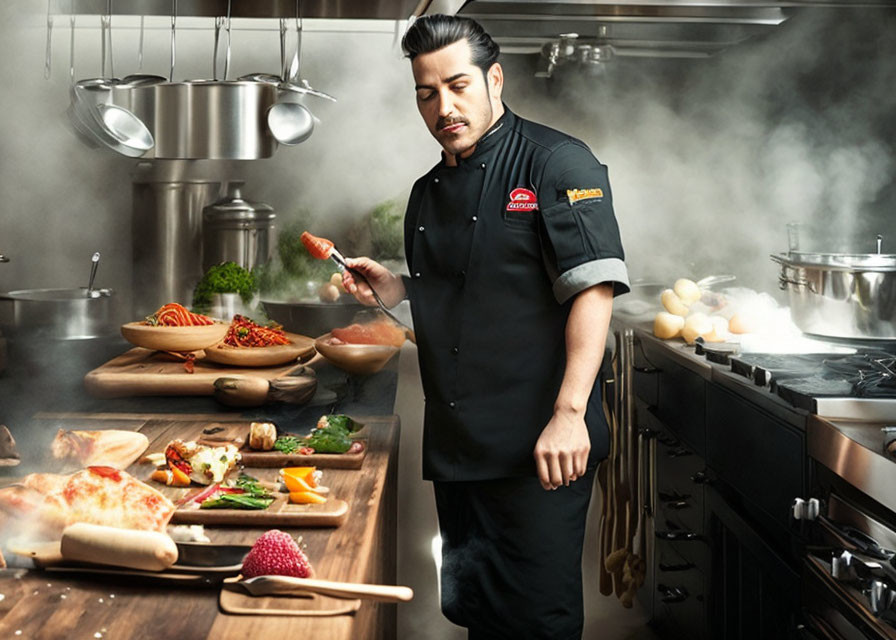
(580, 236)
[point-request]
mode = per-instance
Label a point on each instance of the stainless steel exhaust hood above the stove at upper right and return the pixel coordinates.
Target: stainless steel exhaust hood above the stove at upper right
(592, 32)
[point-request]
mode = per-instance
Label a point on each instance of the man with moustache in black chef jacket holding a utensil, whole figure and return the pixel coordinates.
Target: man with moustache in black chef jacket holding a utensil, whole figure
(514, 258)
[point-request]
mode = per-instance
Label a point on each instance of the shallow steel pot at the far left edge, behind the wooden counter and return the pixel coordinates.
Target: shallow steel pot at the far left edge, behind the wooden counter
(66, 314)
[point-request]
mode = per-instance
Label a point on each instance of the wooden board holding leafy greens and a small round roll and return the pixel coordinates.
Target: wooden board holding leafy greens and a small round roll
(238, 434)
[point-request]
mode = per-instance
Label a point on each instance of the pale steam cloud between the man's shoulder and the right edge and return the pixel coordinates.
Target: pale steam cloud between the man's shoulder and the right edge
(710, 159)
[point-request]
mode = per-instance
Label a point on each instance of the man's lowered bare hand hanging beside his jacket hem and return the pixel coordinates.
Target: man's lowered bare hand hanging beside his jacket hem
(561, 453)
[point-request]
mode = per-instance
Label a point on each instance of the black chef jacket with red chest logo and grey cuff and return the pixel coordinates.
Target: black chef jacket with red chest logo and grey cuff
(497, 247)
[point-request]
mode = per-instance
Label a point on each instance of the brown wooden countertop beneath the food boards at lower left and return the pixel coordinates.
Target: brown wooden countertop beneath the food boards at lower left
(50, 605)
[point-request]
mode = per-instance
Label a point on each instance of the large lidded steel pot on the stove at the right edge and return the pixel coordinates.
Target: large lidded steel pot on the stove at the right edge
(841, 295)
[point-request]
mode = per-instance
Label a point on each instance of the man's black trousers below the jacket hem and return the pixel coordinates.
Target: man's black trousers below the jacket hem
(512, 557)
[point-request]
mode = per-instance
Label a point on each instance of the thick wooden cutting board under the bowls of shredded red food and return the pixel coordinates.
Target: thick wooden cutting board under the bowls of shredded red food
(142, 372)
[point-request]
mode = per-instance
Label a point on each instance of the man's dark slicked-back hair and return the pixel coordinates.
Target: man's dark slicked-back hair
(434, 32)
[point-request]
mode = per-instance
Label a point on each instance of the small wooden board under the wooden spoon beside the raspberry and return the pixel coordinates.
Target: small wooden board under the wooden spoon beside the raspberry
(235, 599)
